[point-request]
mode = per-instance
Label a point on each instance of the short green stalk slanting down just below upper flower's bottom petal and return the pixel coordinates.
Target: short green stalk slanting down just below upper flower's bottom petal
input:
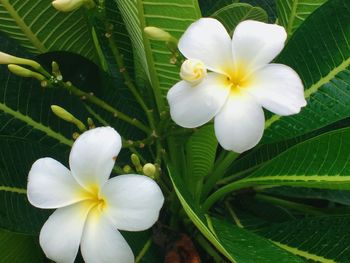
(218, 172)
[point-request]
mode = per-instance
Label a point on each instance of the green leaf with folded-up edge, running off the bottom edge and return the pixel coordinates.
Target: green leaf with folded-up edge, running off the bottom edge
(235, 243)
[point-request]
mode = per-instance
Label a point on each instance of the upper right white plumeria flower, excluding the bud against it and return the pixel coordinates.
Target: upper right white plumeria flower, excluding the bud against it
(240, 83)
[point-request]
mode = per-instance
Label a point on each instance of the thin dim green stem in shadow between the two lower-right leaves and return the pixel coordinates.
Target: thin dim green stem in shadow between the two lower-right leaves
(289, 204)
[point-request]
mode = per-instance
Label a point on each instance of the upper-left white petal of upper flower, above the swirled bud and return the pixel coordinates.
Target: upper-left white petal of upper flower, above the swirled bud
(208, 41)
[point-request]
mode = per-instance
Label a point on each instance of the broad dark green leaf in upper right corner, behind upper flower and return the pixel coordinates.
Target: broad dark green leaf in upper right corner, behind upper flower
(319, 51)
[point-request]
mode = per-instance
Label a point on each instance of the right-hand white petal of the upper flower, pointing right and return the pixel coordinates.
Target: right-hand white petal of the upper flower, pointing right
(279, 89)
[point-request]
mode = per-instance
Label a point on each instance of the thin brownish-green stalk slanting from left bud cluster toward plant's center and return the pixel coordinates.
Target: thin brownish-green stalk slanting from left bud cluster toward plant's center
(93, 99)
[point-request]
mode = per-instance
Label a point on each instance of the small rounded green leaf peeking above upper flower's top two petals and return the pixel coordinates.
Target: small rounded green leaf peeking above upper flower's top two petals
(232, 15)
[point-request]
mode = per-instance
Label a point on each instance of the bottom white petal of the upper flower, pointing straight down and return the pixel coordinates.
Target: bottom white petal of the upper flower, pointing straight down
(239, 126)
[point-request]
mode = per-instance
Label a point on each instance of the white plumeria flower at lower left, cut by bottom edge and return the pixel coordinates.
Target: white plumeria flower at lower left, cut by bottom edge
(90, 207)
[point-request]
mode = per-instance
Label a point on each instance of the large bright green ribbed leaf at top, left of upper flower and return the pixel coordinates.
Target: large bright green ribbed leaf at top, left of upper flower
(173, 17)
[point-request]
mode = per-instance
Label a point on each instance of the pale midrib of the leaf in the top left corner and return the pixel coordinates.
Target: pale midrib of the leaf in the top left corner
(22, 25)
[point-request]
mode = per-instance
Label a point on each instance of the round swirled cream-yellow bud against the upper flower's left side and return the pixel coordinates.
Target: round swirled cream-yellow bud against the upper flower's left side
(193, 71)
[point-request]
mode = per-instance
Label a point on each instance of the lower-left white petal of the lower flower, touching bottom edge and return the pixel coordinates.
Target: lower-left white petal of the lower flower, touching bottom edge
(61, 234)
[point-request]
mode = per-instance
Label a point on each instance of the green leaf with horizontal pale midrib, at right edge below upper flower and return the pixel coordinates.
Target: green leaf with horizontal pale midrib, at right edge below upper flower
(321, 162)
